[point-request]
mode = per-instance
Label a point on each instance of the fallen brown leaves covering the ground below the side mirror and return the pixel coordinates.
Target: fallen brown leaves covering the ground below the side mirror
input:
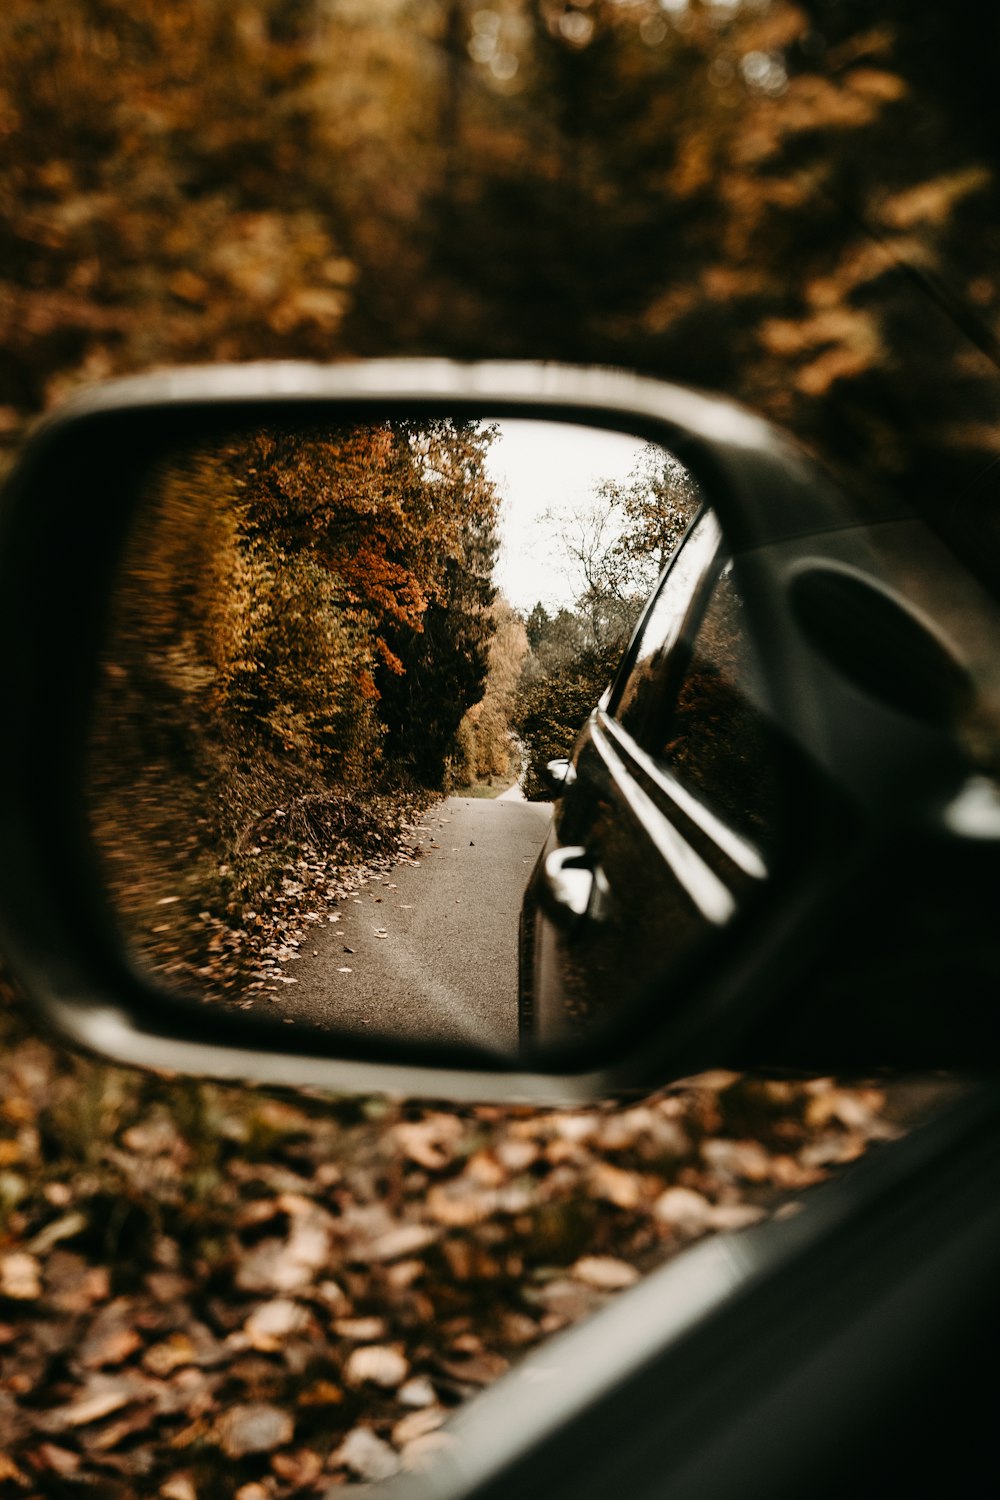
(214, 1292)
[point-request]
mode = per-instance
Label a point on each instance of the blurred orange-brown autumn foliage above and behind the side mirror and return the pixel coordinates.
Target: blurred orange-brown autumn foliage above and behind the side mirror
(789, 202)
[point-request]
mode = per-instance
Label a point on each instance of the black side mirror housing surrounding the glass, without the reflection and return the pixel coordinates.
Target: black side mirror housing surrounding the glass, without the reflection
(893, 814)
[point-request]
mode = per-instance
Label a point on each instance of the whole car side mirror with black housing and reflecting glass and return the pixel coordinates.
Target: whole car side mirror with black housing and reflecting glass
(275, 640)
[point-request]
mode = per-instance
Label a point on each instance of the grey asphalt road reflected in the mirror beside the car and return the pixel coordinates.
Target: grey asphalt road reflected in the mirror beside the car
(431, 949)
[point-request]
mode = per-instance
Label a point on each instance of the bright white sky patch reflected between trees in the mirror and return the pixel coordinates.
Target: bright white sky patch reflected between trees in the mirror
(539, 467)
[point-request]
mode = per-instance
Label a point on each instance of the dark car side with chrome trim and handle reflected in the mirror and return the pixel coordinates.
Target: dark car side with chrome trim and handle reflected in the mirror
(663, 830)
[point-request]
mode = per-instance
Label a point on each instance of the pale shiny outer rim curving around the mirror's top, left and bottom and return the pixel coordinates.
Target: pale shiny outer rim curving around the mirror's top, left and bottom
(743, 458)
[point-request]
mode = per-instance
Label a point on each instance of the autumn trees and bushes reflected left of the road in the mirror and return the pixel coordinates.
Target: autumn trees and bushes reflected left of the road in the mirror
(301, 628)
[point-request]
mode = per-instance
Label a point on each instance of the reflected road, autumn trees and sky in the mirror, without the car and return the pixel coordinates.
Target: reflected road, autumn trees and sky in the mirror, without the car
(337, 664)
